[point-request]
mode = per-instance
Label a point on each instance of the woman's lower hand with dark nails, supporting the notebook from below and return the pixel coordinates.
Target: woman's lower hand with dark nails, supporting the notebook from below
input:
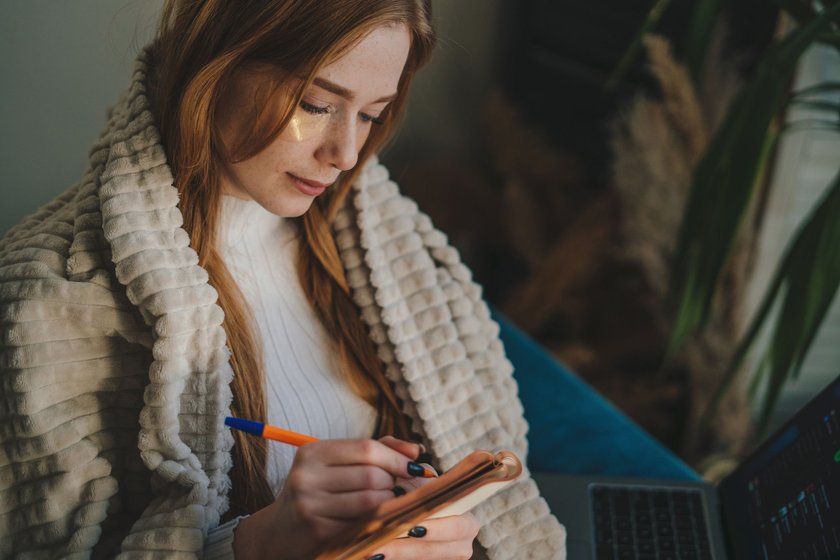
(439, 539)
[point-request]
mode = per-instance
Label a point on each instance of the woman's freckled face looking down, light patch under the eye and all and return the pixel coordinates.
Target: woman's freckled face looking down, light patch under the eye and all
(328, 129)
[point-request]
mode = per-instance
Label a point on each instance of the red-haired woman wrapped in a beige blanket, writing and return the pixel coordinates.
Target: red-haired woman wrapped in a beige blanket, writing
(235, 249)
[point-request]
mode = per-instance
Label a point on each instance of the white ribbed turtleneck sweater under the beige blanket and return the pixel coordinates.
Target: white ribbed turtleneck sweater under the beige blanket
(304, 390)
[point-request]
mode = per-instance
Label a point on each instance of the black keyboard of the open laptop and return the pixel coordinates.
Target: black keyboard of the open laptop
(638, 523)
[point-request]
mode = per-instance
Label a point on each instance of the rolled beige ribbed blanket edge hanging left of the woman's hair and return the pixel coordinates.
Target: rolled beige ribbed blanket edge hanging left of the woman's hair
(182, 437)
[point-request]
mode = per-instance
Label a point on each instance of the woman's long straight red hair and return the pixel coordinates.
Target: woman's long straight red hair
(199, 47)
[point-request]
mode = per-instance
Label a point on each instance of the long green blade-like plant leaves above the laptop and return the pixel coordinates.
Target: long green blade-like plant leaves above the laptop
(724, 185)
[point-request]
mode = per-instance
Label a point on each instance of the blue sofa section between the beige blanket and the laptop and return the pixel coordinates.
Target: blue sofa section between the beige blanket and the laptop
(573, 429)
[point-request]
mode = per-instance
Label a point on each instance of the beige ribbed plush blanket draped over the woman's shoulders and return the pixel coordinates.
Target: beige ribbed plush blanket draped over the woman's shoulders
(115, 374)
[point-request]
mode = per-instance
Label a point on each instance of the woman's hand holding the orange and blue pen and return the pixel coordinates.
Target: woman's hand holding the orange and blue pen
(331, 486)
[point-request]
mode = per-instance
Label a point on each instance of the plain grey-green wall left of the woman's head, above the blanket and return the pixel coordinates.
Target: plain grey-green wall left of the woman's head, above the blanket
(62, 64)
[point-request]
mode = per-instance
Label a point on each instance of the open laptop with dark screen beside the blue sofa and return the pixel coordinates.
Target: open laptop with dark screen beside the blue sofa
(781, 503)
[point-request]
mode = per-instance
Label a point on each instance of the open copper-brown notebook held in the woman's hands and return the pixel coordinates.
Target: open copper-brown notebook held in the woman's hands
(474, 479)
